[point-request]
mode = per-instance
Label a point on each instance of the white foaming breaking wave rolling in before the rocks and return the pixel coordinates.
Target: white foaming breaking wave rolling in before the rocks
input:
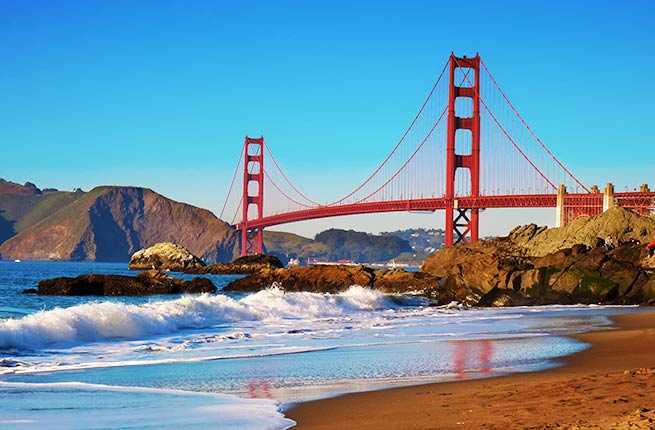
(100, 321)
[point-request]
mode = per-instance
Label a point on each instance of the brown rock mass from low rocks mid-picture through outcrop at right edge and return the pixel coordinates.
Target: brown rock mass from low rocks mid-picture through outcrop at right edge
(508, 271)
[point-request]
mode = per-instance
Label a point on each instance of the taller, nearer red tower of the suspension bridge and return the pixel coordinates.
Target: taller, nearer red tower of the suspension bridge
(462, 224)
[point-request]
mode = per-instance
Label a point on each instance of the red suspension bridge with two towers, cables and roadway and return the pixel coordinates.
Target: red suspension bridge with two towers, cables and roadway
(468, 148)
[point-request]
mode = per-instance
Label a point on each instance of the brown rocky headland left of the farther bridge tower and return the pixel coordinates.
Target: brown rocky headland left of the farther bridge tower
(105, 224)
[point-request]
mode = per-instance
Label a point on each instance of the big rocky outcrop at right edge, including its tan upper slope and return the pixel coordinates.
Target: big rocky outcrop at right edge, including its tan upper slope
(536, 265)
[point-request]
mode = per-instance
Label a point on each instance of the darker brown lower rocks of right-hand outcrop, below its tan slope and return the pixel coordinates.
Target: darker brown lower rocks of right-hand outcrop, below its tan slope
(500, 273)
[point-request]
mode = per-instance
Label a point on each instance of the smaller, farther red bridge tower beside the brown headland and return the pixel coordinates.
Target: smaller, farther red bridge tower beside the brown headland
(252, 239)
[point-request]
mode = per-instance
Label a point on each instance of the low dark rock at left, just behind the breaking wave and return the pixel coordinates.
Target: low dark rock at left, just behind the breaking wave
(146, 283)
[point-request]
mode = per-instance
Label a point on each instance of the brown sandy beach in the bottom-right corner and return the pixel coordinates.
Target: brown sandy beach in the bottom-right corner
(610, 385)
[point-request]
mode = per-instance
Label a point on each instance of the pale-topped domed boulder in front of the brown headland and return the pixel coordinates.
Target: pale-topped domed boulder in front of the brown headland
(165, 256)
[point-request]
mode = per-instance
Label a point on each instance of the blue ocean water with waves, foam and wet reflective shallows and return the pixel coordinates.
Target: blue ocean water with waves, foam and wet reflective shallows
(234, 361)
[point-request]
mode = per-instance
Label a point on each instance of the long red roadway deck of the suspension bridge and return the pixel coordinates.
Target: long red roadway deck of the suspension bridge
(634, 200)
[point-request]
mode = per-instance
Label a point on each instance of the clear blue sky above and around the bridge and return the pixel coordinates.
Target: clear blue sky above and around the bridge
(160, 94)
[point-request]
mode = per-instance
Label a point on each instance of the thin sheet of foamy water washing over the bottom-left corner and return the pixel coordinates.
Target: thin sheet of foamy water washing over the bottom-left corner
(209, 409)
